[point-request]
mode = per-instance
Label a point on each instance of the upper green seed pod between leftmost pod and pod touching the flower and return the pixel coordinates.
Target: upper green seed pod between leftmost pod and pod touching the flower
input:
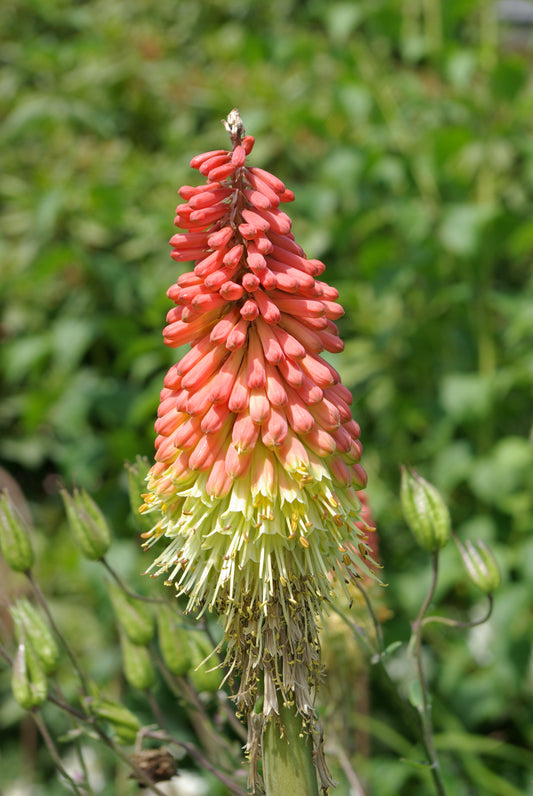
(87, 523)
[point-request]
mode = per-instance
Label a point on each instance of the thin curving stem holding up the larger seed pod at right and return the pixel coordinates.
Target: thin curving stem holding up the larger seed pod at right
(425, 710)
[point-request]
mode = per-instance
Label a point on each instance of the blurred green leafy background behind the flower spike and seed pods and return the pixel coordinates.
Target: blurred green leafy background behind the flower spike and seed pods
(405, 129)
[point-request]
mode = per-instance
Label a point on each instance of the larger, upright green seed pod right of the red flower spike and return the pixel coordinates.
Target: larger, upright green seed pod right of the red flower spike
(424, 511)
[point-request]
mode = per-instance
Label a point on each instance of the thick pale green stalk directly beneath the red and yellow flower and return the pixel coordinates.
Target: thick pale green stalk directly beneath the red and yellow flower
(287, 759)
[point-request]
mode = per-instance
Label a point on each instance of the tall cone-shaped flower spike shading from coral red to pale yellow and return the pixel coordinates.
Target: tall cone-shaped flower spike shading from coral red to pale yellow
(258, 456)
